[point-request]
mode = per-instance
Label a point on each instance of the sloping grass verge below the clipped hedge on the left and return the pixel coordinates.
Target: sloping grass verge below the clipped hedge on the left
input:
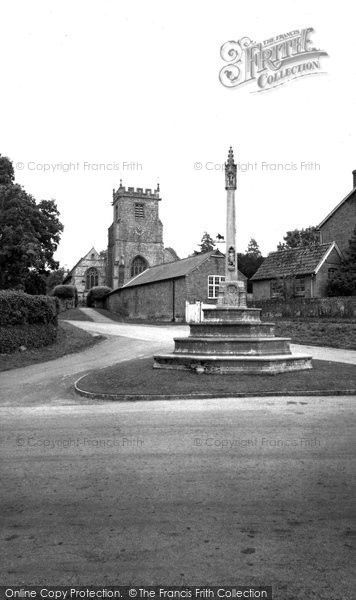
(69, 339)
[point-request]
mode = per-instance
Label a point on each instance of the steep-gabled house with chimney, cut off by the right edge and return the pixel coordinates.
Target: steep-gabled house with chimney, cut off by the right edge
(339, 224)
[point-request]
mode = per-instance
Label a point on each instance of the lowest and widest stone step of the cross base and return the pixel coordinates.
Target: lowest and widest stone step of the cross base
(221, 365)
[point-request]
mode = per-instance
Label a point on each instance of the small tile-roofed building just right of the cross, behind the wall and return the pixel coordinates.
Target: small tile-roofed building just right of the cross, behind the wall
(302, 272)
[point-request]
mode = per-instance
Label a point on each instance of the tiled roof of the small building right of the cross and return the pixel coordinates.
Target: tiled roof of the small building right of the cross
(301, 261)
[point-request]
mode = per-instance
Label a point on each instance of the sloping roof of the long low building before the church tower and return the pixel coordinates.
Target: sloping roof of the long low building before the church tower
(172, 270)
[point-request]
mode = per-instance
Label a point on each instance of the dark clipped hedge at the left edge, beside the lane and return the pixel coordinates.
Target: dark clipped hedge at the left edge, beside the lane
(25, 320)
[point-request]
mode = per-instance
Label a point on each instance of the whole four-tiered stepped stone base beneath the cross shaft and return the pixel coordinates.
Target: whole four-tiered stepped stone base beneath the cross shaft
(232, 340)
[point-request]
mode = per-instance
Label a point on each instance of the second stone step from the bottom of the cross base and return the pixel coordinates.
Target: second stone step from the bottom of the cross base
(238, 346)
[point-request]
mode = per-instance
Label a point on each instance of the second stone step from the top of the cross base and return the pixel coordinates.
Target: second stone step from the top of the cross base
(232, 329)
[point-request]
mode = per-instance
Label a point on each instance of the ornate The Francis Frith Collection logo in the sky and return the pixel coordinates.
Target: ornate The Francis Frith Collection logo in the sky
(272, 62)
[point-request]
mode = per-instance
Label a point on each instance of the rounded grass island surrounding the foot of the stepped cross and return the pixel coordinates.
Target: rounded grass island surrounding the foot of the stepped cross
(137, 377)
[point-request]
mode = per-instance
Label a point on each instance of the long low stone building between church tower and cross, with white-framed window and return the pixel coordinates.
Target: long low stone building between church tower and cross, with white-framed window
(161, 292)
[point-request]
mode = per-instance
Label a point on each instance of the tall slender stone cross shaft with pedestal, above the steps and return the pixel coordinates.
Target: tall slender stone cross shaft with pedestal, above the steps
(232, 292)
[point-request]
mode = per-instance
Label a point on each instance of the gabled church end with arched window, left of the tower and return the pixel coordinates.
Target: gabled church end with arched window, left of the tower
(88, 272)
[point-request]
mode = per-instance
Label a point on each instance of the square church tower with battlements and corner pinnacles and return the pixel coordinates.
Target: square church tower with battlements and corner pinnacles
(136, 234)
